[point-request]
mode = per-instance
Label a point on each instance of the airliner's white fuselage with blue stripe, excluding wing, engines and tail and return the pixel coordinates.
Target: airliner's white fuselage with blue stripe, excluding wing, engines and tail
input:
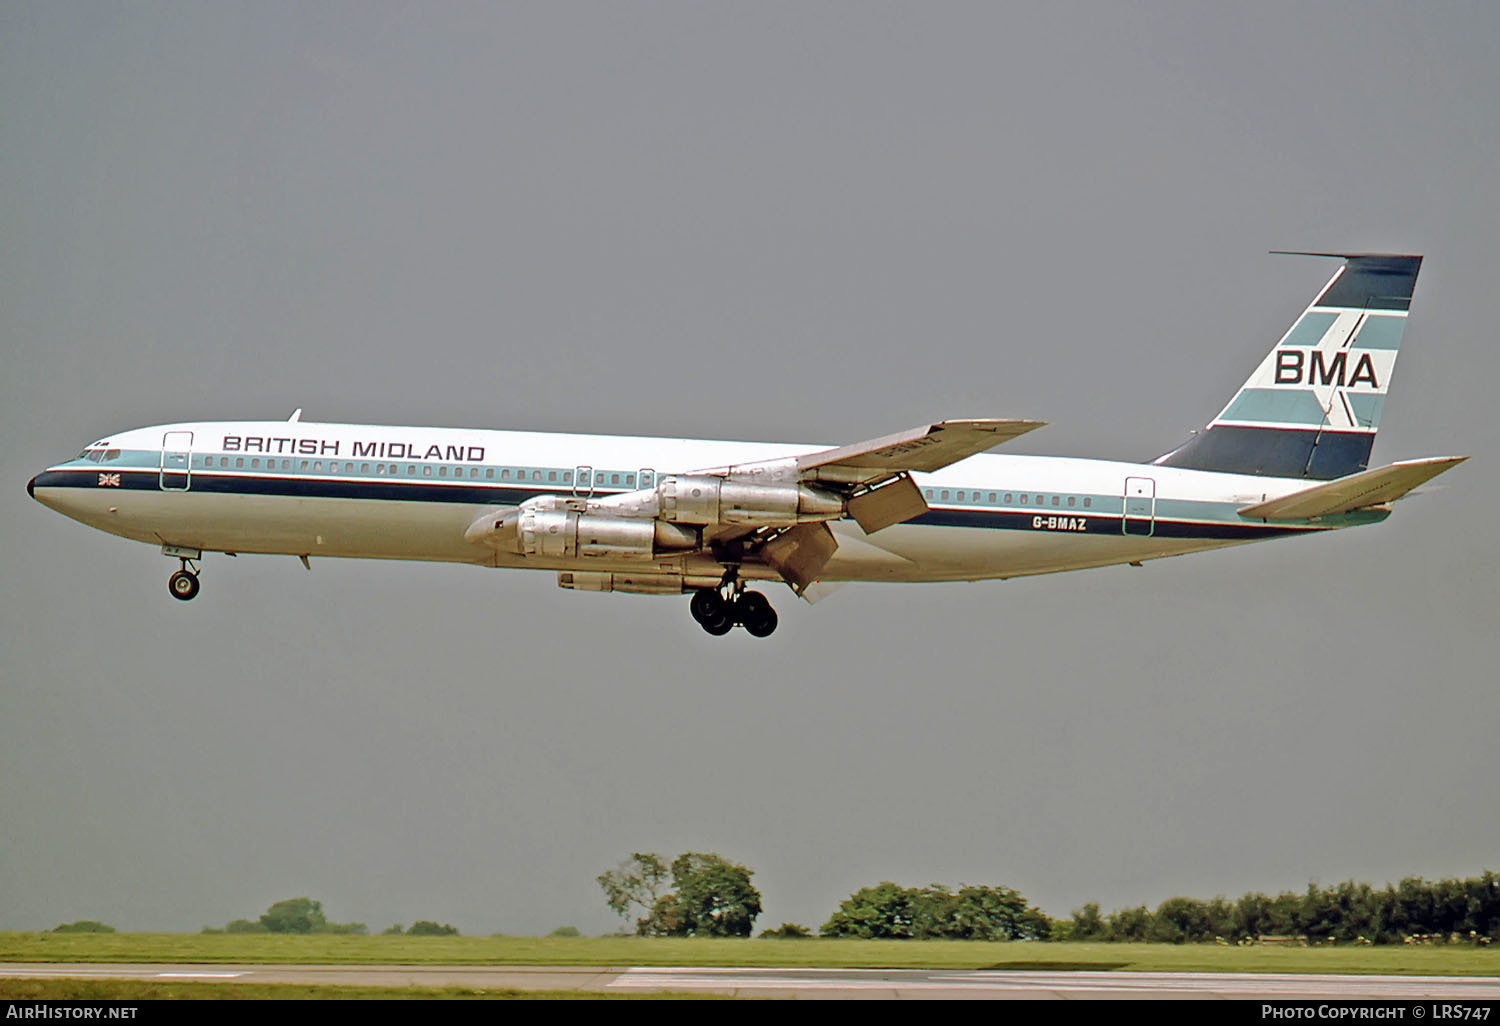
(382, 493)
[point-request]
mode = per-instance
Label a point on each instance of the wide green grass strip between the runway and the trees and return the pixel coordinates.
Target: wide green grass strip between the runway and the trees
(1438, 961)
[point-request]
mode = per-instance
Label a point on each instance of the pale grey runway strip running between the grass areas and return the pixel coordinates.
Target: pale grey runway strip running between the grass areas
(803, 983)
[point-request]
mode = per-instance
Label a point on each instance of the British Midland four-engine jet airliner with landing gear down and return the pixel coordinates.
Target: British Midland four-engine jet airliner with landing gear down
(1289, 455)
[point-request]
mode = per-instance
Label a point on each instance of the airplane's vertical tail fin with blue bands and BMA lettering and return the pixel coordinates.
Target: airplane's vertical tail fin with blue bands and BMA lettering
(1313, 406)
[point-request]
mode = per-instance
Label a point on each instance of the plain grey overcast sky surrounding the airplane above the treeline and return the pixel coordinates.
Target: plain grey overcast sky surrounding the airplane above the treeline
(808, 223)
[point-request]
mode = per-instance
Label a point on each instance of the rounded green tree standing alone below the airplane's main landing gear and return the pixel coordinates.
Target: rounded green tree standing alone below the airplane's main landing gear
(712, 896)
